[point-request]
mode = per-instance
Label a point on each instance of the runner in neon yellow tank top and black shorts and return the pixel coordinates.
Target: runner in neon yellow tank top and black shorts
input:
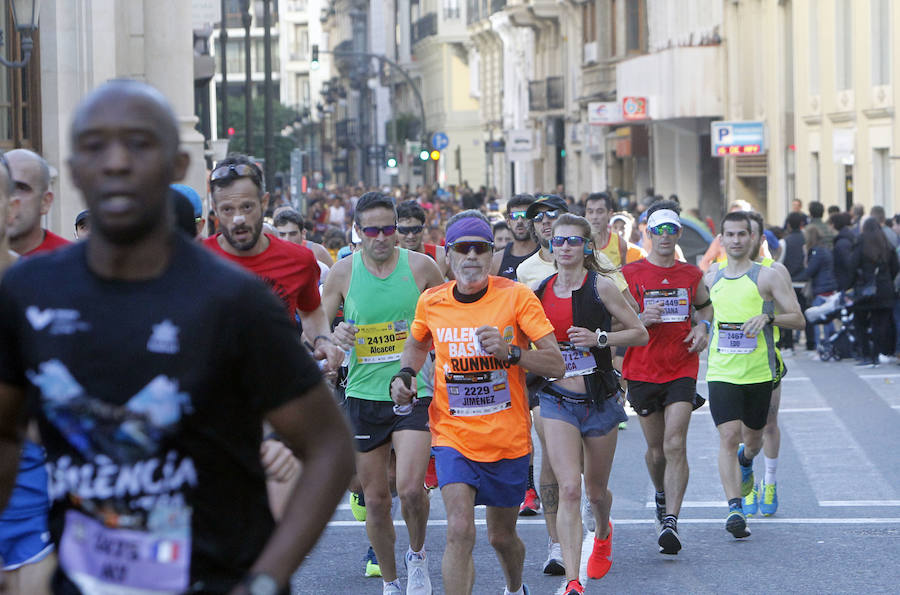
(742, 363)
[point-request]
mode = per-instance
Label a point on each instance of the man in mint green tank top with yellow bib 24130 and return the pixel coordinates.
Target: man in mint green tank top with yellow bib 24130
(380, 286)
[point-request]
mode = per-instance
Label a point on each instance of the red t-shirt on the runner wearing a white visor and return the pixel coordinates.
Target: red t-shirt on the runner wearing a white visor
(665, 357)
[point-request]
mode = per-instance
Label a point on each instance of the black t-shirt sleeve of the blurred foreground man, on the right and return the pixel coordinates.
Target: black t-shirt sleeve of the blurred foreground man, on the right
(274, 366)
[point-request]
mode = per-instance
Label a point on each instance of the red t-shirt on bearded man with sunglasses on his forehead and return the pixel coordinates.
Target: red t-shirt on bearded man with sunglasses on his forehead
(290, 271)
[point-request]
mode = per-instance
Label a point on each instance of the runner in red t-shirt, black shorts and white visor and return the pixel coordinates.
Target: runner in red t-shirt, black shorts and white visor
(662, 376)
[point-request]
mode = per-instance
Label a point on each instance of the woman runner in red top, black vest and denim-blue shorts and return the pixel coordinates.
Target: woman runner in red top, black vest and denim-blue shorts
(580, 410)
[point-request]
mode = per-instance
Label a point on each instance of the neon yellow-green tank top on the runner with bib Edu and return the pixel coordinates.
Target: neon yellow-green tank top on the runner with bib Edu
(734, 357)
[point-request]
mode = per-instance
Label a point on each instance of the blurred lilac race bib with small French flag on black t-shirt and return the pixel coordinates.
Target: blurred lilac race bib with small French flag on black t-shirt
(101, 559)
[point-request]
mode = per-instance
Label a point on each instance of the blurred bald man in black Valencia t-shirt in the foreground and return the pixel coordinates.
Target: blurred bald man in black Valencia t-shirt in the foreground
(150, 366)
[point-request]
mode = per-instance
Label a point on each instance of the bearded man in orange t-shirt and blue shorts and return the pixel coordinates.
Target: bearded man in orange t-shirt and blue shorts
(480, 326)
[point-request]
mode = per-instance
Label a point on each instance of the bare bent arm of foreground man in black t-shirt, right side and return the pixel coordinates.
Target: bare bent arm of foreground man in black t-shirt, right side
(315, 430)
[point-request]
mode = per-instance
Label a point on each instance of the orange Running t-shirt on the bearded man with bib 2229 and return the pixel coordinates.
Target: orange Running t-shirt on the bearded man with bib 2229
(480, 406)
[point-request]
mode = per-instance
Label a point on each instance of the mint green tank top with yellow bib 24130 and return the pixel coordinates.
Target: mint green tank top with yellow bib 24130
(383, 310)
